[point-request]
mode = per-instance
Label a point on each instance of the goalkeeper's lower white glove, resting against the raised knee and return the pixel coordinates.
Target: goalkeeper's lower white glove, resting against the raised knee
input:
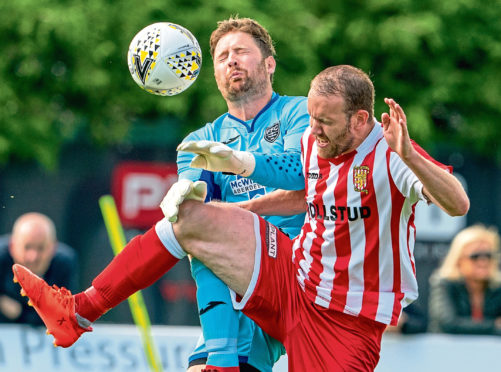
(180, 191)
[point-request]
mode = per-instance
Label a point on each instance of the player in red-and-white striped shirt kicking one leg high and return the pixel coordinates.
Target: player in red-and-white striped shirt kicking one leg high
(329, 294)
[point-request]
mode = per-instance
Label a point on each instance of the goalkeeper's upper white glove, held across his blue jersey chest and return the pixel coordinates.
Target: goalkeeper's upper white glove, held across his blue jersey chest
(217, 157)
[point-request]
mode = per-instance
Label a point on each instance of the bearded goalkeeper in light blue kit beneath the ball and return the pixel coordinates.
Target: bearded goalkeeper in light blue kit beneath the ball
(259, 120)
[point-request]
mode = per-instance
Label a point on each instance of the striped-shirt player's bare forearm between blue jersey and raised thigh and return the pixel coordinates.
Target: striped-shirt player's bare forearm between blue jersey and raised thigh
(277, 203)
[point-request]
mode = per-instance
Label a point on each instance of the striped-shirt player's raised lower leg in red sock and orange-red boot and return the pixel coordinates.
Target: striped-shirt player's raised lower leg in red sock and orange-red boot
(143, 261)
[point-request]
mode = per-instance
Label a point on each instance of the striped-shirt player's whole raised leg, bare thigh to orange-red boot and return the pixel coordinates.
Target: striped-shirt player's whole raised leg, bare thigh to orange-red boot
(220, 235)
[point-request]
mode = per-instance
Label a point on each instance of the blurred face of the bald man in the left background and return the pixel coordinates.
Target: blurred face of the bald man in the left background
(31, 247)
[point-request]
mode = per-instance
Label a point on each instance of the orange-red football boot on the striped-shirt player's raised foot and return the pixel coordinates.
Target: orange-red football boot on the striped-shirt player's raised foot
(56, 306)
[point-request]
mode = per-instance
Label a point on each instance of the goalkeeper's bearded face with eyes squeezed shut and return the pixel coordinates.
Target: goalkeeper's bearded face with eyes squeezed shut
(239, 67)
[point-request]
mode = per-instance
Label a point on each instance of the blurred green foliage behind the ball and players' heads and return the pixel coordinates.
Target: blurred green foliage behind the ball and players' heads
(64, 74)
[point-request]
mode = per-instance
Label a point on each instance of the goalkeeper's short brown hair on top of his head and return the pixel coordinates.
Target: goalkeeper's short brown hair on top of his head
(247, 25)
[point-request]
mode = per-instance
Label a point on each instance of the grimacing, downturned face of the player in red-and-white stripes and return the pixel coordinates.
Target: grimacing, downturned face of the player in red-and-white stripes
(329, 125)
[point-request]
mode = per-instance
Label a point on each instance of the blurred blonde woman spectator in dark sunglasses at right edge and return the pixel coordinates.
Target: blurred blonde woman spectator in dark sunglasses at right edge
(465, 292)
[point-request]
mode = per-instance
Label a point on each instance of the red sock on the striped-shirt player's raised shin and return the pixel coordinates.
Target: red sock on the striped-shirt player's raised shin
(141, 263)
